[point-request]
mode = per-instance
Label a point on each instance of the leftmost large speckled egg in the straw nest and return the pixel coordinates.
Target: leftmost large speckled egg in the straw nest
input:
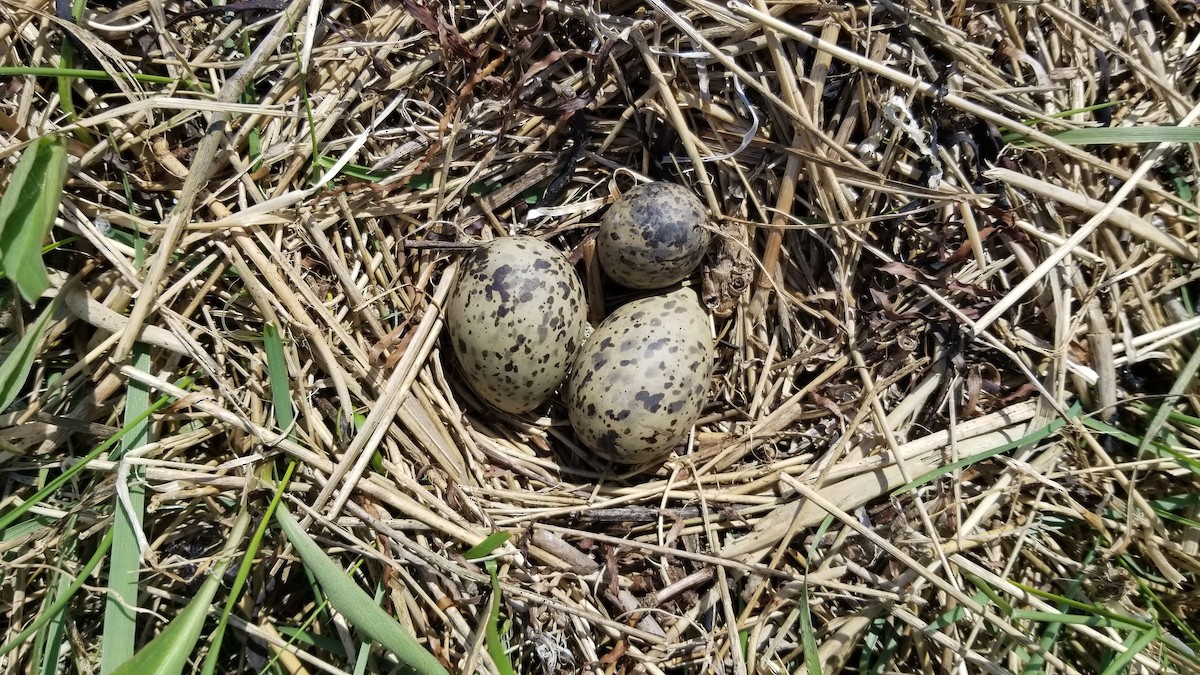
(517, 319)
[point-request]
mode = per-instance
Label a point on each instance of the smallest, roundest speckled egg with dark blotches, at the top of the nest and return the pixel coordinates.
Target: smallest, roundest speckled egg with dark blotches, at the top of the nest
(653, 237)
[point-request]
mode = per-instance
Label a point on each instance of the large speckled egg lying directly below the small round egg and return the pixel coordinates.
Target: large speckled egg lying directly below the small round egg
(639, 384)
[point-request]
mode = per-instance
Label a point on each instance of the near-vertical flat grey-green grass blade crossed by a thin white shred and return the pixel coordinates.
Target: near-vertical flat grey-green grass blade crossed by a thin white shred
(124, 566)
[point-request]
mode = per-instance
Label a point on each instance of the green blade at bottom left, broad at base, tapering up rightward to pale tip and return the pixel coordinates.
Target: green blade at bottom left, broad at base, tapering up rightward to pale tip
(167, 654)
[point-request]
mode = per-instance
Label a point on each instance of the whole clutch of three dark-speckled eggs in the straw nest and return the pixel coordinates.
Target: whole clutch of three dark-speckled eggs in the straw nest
(518, 319)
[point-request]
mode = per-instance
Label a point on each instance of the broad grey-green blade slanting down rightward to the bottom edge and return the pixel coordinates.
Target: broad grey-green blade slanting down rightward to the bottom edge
(355, 605)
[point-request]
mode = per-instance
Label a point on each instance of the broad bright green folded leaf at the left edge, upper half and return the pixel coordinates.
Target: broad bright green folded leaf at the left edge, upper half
(27, 214)
